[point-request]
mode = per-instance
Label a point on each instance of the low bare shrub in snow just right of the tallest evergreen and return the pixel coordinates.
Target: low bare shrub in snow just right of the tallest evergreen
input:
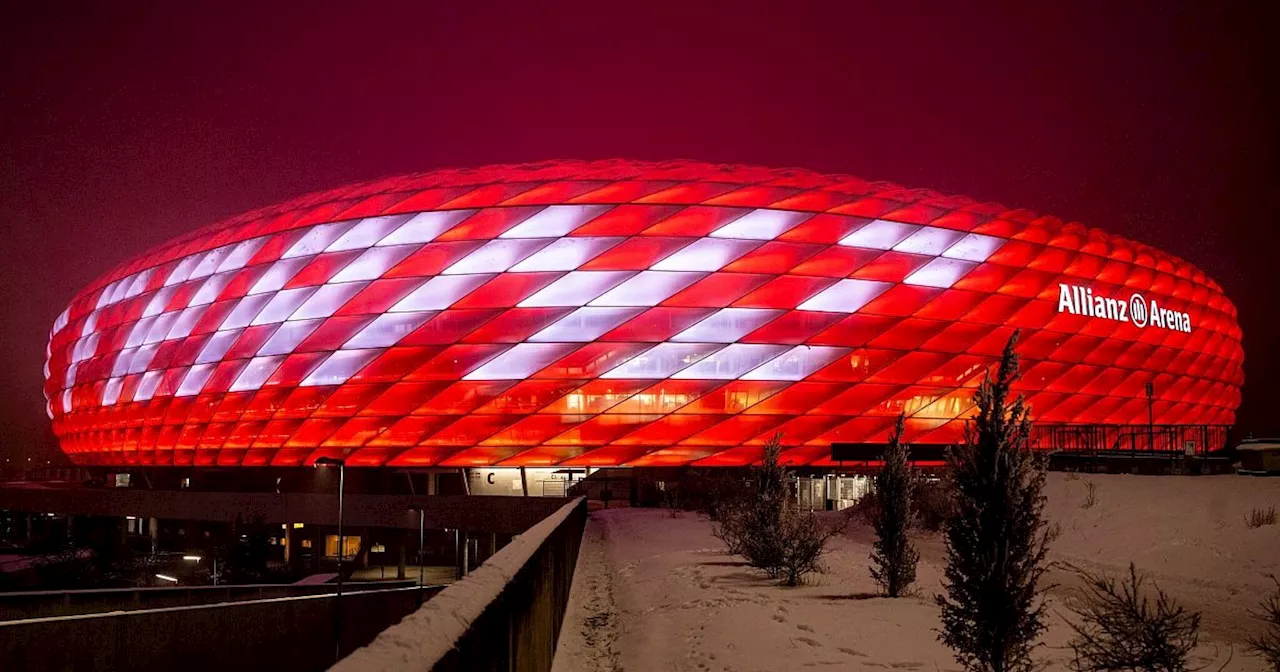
(1122, 629)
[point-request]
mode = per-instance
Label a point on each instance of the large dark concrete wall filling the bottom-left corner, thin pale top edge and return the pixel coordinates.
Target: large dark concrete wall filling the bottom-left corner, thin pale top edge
(272, 634)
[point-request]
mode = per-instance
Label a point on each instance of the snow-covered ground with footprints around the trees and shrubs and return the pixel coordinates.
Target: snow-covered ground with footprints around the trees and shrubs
(656, 592)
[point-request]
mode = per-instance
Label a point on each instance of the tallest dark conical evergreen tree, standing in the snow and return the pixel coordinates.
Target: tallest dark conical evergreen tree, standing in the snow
(993, 611)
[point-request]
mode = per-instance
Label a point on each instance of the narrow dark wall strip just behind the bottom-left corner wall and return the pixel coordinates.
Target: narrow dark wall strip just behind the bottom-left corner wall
(51, 604)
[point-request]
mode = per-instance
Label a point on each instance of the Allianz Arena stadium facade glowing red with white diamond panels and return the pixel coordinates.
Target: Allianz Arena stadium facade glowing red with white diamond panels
(621, 314)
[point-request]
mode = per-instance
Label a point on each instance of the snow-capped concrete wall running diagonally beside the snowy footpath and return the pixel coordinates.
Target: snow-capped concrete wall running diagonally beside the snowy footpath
(504, 616)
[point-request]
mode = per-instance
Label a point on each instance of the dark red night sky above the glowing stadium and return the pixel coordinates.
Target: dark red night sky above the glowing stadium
(125, 126)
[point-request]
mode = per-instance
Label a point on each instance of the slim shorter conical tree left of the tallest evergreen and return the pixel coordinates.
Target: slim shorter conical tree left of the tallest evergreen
(894, 557)
